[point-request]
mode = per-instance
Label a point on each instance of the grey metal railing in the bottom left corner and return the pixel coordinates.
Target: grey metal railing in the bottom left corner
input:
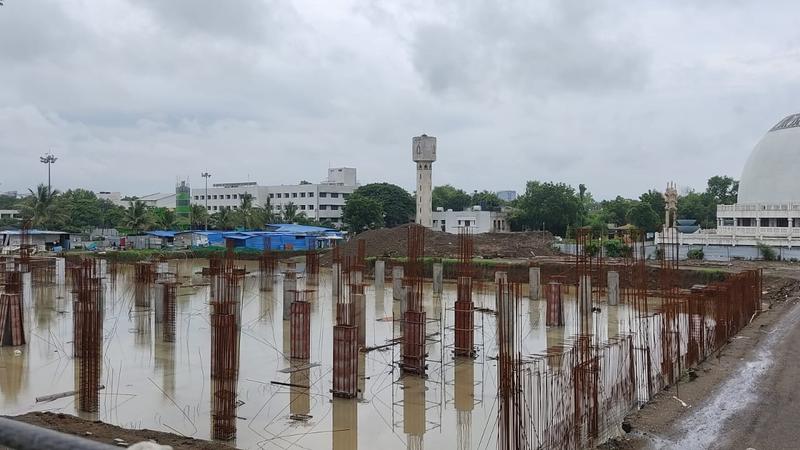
(23, 436)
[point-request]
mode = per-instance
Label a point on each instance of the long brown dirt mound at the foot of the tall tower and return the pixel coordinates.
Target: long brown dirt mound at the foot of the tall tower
(392, 242)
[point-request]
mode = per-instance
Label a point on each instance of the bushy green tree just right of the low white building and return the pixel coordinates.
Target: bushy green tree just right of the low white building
(548, 206)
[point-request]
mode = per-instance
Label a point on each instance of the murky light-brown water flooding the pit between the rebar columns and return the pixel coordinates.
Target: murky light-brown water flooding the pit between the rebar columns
(166, 386)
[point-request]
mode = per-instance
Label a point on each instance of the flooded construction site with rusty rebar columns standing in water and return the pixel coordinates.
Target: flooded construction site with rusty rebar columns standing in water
(401, 353)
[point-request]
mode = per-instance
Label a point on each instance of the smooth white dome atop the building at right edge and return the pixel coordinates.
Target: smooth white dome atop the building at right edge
(772, 172)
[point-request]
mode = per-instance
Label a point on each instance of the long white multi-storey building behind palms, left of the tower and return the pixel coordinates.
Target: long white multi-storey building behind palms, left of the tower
(320, 201)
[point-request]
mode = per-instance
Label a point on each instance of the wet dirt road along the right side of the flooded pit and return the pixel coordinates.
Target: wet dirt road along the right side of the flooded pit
(746, 397)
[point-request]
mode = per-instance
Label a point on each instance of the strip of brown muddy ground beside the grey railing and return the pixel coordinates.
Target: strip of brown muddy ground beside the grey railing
(105, 433)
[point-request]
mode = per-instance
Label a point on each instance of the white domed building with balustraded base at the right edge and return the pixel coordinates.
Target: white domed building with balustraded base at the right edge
(768, 205)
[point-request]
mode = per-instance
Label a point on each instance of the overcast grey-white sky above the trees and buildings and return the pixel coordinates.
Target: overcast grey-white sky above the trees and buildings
(622, 96)
